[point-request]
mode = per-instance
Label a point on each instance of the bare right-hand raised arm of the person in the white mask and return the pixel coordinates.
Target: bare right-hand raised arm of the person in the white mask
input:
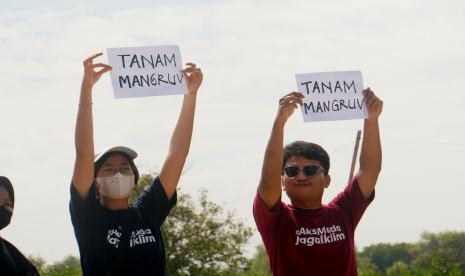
(182, 134)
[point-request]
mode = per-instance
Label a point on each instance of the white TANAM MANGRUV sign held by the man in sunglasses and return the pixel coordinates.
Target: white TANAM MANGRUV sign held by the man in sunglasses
(332, 96)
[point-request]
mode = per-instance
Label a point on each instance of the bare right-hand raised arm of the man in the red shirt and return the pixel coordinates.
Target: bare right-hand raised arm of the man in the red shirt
(370, 156)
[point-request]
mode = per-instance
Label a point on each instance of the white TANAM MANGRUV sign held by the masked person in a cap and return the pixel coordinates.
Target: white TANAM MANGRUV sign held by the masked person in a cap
(146, 71)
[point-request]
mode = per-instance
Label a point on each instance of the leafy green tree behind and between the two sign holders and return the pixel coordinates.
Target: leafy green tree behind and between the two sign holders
(199, 238)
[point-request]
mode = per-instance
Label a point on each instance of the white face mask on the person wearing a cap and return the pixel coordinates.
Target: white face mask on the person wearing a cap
(118, 186)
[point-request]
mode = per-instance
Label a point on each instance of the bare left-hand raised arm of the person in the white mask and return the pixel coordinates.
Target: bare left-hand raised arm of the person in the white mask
(83, 175)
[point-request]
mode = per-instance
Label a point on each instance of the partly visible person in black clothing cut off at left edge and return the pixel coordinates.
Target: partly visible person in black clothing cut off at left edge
(12, 261)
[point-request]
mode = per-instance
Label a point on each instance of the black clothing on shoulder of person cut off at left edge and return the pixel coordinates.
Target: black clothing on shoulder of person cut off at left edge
(13, 262)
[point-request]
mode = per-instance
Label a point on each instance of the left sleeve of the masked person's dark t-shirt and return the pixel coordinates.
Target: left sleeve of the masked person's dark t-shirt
(82, 211)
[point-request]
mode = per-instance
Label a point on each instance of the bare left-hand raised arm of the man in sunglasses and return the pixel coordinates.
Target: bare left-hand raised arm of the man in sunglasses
(269, 188)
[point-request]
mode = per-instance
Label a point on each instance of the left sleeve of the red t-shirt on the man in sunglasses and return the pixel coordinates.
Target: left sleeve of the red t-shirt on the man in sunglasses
(265, 219)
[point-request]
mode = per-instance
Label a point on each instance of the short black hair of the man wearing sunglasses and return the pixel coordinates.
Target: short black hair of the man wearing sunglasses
(307, 150)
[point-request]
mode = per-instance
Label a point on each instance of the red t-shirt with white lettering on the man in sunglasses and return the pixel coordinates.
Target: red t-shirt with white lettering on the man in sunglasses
(312, 242)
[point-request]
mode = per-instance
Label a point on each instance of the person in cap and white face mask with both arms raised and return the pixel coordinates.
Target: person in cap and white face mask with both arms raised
(114, 236)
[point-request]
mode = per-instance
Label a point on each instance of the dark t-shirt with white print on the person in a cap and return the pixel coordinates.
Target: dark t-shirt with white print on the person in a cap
(121, 242)
